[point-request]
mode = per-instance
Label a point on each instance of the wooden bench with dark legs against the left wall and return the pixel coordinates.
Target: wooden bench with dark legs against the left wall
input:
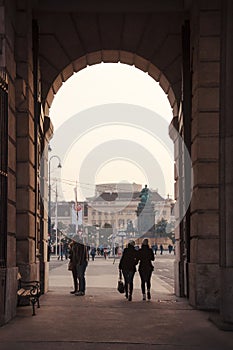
(28, 292)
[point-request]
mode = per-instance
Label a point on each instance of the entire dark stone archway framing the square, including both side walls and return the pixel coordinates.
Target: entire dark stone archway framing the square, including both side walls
(193, 69)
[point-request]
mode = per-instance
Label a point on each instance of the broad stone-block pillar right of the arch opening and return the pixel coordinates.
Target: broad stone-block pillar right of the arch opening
(204, 236)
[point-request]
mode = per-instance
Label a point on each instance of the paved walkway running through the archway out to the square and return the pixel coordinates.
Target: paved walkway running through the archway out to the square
(104, 319)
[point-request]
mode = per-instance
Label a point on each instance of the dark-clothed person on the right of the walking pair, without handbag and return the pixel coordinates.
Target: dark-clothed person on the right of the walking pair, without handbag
(145, 256)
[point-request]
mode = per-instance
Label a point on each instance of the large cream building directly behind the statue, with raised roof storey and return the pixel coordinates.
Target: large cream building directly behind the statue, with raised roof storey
(116, 204)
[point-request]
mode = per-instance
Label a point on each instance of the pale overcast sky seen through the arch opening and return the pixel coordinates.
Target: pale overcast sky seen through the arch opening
(111, 125)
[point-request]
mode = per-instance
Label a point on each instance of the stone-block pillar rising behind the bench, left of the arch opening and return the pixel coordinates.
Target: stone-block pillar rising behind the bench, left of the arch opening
(26, 189)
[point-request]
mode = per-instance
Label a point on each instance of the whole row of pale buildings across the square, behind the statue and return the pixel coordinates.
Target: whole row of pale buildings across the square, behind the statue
(113, 206)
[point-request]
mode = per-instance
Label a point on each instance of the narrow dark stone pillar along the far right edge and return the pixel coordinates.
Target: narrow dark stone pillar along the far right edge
(226, 166)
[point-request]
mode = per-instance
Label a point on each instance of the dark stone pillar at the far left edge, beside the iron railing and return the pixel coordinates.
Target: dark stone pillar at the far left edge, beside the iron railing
(8, 269)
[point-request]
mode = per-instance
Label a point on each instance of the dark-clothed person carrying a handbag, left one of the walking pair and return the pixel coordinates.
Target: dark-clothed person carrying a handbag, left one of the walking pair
(128, 264)
